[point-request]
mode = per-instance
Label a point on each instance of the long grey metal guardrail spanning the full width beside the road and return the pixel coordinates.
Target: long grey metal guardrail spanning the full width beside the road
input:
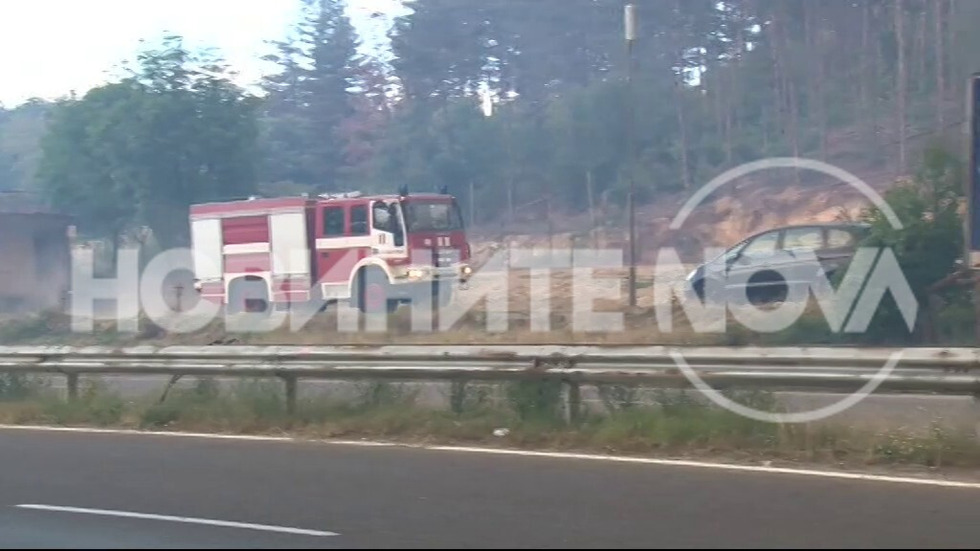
(952, 371)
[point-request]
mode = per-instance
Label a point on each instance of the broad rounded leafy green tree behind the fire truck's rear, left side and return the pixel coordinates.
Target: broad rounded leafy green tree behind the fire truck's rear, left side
(140, 151)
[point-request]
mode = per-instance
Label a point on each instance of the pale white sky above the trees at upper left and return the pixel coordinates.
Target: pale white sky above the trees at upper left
(49, 48)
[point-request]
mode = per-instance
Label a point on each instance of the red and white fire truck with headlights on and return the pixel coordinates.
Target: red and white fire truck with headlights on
(374, 251)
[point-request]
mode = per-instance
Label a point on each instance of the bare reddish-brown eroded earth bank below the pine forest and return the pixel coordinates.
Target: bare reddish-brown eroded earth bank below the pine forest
(746, 206)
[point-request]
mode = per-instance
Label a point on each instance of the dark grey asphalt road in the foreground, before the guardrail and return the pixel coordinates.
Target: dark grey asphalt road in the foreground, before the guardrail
(390, 497)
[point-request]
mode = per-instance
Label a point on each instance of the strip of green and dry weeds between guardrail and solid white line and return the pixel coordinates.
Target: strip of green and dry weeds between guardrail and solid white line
(527, 416)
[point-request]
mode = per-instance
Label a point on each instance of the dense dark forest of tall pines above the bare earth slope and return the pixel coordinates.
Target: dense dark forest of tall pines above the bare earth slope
(716, 84)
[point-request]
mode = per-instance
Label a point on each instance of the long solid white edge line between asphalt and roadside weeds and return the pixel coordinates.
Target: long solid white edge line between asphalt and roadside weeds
(523, 453)
